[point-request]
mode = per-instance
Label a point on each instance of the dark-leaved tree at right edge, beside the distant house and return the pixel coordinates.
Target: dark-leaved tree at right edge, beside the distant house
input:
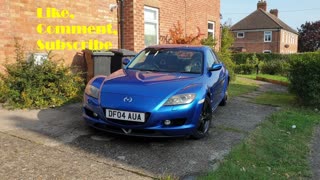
(309, 37)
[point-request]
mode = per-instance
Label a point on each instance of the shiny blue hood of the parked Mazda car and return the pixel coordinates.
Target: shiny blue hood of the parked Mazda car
(147, 83)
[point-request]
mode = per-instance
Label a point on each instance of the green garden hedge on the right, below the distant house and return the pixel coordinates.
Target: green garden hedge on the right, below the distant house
(303, 71)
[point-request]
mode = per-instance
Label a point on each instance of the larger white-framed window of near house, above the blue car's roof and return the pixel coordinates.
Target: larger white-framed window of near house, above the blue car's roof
(151, 26)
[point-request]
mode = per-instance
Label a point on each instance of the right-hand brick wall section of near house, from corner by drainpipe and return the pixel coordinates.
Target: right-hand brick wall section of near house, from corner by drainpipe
(190, 13)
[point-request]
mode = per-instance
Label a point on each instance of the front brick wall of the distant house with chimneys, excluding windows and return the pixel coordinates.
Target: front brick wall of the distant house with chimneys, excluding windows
(254, 42)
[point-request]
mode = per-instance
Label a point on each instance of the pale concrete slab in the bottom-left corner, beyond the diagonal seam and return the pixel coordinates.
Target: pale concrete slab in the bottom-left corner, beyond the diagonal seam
(23, 159)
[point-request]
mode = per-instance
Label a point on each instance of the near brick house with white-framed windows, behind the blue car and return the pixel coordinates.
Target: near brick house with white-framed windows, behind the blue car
(128, 24)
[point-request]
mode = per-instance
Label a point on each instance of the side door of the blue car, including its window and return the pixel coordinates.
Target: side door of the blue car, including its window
(217, 79)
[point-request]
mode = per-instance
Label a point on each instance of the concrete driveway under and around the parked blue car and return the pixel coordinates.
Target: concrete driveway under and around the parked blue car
(55, 143)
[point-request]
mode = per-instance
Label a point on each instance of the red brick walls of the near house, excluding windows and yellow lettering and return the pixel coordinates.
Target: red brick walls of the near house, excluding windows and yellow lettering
(18, 19)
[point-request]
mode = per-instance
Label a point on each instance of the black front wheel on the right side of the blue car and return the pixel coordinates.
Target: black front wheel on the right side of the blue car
(204, 121)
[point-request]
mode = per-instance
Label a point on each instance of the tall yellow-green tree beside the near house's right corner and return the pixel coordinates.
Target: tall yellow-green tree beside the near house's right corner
(225, 53)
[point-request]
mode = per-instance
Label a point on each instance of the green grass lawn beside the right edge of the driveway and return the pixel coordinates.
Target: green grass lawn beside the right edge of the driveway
(277, 149)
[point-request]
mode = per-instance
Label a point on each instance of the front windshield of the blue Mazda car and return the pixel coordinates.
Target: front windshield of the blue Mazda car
(169, 60)
